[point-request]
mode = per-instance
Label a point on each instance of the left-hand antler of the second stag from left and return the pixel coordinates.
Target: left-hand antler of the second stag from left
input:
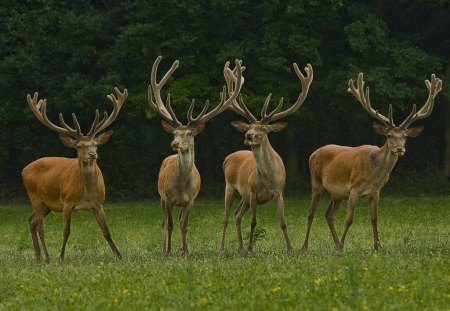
(156, 87)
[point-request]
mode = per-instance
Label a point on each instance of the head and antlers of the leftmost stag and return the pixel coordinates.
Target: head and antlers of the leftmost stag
(86, 145)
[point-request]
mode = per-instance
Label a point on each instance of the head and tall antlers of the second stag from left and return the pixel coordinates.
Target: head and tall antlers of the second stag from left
(184, 134)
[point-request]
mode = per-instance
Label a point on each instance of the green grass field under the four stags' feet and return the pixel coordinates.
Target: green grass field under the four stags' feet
(411, 273)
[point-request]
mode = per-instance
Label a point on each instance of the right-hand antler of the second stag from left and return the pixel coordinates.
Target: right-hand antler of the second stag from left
(224, 104)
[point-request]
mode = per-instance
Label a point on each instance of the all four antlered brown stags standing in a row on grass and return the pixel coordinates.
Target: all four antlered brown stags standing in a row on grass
(346, 173)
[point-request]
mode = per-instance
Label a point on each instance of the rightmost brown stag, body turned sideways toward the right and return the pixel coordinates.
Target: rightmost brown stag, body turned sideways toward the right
(348, 173)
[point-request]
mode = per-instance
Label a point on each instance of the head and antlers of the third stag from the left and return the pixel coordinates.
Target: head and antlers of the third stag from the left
(256, 130)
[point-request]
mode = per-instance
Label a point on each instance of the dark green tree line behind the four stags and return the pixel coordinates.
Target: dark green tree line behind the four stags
(75, 52)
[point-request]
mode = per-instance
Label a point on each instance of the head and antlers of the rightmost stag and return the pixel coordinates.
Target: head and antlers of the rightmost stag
(396, 135)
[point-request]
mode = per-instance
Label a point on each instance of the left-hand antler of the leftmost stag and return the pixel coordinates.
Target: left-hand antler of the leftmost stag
(39, 109)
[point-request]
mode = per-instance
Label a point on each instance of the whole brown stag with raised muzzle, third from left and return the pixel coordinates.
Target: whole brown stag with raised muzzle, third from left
(258, 175)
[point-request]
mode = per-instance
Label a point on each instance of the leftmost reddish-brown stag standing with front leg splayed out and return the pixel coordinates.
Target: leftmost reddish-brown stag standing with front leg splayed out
(67, 185)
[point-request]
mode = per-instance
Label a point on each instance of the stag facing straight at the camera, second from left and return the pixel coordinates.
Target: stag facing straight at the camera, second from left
(179, 180)
